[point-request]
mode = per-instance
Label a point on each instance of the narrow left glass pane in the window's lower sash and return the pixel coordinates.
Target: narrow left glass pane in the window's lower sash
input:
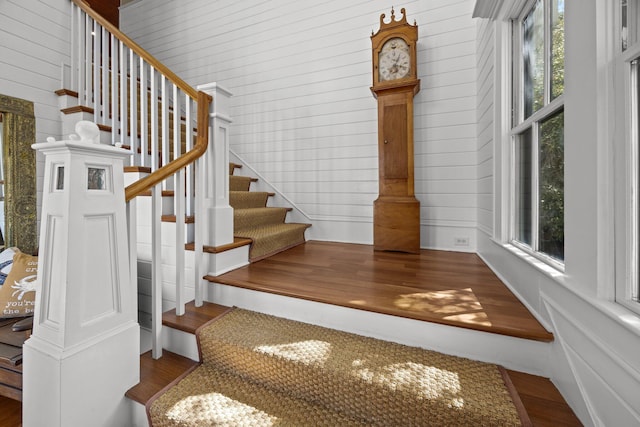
(523, 215)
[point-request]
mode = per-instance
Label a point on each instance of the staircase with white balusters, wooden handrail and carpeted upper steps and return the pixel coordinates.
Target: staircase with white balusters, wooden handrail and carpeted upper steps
(186, 224)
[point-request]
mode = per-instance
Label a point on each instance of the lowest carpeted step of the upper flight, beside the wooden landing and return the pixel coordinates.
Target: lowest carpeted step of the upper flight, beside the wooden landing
(270, 239)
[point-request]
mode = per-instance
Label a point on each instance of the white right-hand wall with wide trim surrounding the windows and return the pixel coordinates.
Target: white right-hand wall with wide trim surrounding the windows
(594, 355)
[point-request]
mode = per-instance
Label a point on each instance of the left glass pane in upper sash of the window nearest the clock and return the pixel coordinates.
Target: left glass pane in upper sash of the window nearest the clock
(533, 59)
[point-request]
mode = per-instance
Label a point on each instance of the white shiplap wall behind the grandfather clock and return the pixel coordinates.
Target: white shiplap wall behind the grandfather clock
(304, 116)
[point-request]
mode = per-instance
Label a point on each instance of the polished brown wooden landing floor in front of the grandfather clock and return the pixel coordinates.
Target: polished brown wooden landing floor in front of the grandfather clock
(451, 288)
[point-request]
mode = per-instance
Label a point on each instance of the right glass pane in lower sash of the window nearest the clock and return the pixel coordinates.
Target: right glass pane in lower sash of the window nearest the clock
(551, 187)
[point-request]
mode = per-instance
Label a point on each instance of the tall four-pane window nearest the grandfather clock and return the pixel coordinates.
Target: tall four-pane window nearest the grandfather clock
(538, 132)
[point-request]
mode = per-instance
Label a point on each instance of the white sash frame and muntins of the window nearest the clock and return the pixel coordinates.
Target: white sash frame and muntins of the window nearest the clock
(532, 122)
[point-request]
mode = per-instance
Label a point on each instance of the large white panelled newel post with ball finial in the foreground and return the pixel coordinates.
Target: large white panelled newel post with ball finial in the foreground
(84, 352)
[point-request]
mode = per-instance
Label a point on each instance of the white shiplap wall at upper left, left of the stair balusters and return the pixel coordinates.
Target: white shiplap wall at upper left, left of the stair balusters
(34, 42)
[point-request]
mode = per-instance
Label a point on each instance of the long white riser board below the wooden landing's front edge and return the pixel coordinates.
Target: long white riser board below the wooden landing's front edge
(513, 353)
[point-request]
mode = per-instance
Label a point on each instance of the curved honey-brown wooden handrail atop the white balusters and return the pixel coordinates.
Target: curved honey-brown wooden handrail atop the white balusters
(203, 101)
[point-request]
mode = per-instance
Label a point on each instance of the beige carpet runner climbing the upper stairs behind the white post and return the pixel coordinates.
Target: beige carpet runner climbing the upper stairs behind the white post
(265, 226)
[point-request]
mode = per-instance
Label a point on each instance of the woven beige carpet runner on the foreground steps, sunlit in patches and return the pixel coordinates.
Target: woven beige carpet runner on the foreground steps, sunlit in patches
(261, 370)
